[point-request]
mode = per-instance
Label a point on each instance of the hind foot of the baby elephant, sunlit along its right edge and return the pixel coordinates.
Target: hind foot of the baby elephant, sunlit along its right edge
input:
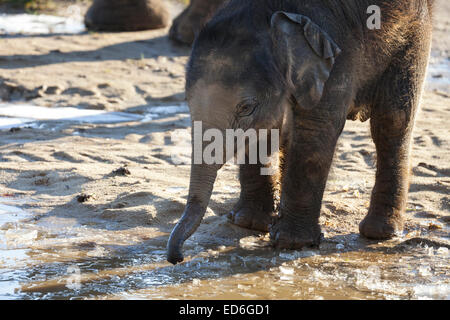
(381, 227)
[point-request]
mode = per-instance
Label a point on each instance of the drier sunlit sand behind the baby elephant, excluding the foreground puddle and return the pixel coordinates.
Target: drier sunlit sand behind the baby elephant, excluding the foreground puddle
(51, 166)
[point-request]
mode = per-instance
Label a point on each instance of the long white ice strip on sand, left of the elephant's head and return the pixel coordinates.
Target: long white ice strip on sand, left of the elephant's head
(14, 115)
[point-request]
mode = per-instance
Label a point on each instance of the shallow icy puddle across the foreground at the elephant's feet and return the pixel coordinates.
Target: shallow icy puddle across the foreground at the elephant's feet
(75, 267)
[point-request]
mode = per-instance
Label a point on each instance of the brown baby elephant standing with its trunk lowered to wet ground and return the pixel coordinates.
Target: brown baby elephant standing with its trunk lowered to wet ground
(303, 67)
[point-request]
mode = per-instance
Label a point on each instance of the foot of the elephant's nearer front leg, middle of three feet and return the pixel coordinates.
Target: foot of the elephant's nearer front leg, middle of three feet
(284, 235)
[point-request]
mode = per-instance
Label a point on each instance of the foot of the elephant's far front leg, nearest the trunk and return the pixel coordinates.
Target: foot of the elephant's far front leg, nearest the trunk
(251, 216)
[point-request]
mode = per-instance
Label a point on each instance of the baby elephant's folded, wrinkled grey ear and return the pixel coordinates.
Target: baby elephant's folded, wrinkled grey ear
(307, 54)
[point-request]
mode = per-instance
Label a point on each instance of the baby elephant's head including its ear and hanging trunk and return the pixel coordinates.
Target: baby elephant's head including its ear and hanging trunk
(249, 72)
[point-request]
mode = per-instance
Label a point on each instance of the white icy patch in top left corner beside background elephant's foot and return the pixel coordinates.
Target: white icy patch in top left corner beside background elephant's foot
(39, 24)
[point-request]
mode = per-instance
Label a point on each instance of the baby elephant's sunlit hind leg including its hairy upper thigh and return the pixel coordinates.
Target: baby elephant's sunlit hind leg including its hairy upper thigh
(392, 123)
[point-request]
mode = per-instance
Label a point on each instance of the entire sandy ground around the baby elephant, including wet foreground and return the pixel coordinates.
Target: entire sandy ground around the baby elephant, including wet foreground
(93, 203)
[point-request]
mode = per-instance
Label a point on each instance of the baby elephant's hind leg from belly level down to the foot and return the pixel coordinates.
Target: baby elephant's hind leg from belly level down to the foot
(392, 139)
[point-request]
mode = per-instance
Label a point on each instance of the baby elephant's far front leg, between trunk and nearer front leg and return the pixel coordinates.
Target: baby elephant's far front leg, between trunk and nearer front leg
(257, 203)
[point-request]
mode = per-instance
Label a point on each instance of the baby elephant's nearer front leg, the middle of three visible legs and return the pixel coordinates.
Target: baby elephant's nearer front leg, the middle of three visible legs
(309, 158)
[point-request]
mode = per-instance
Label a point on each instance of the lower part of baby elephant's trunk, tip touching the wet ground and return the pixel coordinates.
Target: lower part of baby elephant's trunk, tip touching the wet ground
(200, 190)
